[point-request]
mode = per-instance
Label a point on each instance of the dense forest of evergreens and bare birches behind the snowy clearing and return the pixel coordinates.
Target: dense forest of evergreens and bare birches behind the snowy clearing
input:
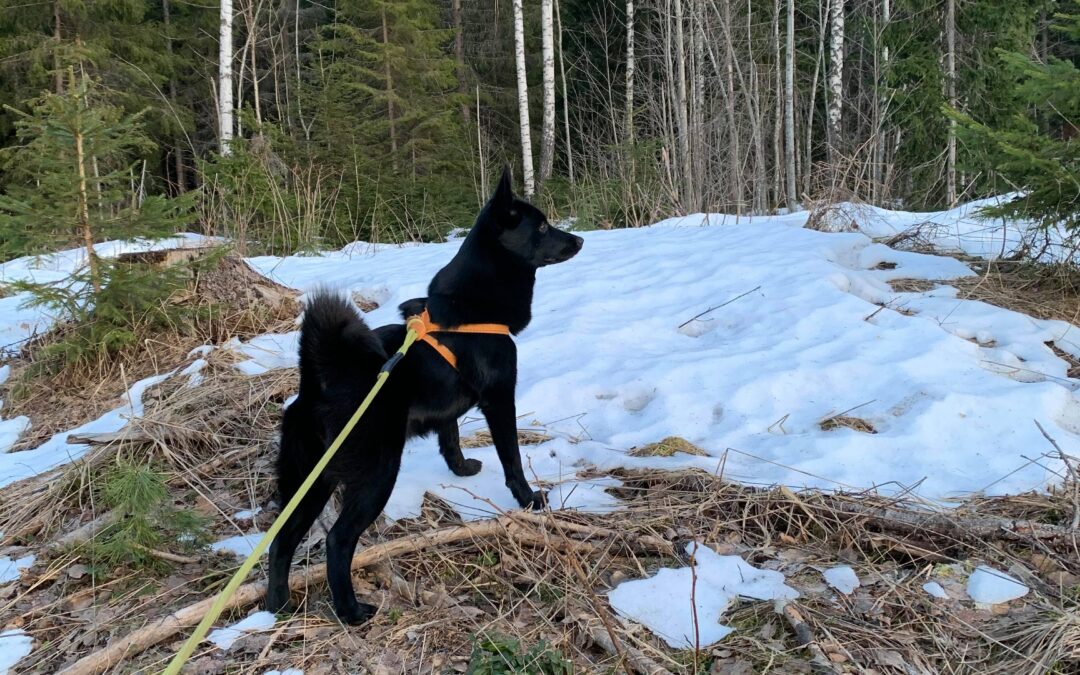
(301, 126)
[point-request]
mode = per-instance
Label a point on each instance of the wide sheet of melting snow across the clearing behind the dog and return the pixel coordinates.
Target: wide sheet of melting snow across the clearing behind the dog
(740, 335)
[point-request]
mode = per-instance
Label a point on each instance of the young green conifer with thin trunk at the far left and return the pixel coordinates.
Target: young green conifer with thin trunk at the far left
(72, 178)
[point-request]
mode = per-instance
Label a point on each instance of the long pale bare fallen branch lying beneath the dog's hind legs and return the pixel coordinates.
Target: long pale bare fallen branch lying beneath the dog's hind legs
(251, 593)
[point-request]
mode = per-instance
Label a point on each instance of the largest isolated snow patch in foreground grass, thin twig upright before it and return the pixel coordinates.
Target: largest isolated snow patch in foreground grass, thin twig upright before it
(663, 603)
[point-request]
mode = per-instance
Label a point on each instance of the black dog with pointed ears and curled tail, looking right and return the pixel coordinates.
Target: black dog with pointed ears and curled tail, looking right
(489, 281)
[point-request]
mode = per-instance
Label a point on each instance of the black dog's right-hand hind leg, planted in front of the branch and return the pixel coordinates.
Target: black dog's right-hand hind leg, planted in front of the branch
(363, 502)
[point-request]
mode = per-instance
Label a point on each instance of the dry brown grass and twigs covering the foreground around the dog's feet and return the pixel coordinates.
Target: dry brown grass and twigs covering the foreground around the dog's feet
(546, 578)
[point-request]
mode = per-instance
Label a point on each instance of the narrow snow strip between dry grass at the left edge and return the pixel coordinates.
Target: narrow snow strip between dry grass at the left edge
(58, 451)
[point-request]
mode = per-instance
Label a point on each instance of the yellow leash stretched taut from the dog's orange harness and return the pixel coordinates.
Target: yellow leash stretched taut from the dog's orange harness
(215, 612)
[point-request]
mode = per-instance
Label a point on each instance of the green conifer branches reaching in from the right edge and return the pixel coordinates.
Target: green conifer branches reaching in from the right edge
(1039, 152)
